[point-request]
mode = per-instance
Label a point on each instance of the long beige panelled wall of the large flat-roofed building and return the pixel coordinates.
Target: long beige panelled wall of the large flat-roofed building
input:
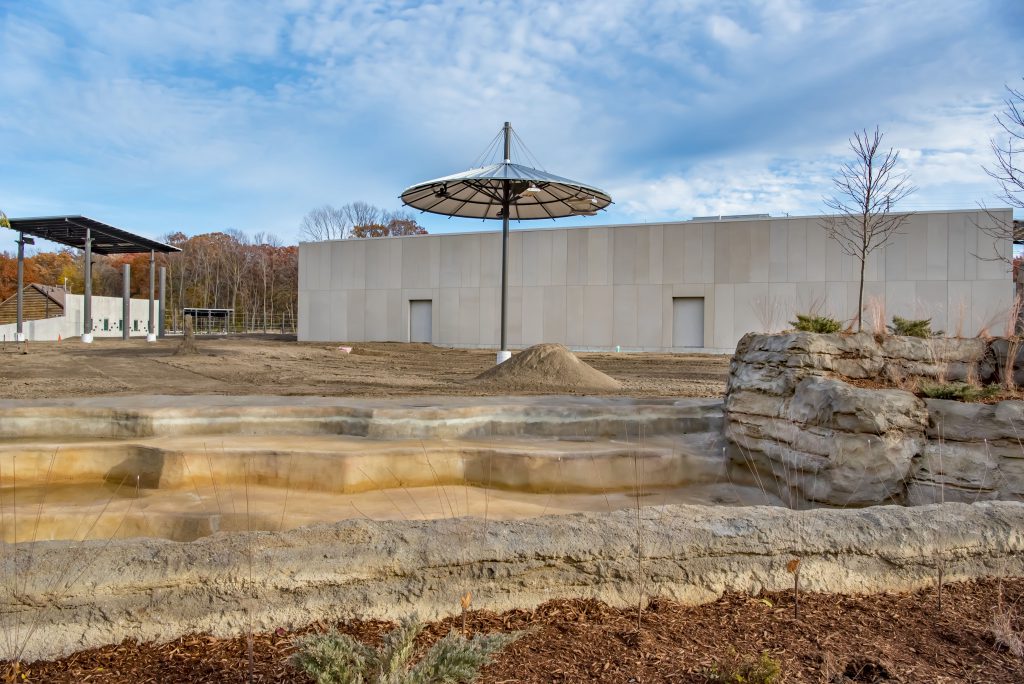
(603, 287)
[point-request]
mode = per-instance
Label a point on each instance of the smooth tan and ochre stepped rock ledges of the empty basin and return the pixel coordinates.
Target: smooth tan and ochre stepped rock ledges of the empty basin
(187, 467)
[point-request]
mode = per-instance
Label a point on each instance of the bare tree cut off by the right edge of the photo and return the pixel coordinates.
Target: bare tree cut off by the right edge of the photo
(1009, 174)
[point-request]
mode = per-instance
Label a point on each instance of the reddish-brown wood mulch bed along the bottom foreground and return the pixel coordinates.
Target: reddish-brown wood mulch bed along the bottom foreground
(837, 639)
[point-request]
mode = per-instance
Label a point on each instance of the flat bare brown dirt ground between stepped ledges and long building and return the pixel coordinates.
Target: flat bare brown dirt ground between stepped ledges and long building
(276, 365)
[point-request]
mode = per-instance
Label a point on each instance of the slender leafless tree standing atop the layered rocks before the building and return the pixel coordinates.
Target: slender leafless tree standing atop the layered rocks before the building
(867, 190)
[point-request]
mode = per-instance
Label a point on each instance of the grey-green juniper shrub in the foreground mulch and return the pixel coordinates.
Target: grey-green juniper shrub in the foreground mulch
(338, 659)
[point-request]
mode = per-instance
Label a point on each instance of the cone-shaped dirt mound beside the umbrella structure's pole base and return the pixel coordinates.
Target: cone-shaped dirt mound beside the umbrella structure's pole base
(546, 368)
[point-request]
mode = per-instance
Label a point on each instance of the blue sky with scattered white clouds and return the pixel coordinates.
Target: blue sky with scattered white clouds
(206, 115)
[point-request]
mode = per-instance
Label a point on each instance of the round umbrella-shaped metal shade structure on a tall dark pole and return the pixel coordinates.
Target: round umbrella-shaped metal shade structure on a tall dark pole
(506, 191)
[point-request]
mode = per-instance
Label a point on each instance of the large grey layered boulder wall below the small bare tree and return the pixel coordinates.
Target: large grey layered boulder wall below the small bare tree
(812, 437)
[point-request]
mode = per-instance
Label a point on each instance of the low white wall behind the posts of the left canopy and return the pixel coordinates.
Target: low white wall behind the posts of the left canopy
(105, 311)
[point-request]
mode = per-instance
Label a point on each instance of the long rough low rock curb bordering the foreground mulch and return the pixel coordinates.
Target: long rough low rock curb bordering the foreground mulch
(90, 594)
